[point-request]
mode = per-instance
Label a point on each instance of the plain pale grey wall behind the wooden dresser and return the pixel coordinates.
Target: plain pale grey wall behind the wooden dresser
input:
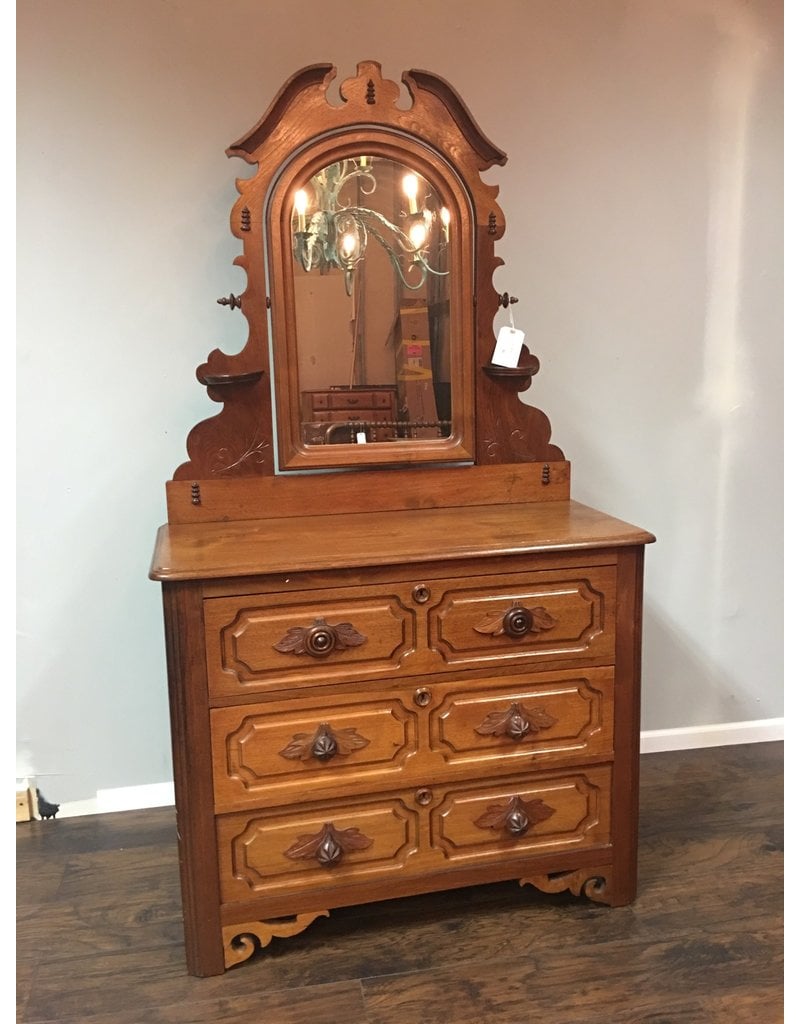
(644, 199)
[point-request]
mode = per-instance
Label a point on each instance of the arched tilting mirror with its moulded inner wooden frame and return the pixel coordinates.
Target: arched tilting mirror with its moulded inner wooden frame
(367, 251)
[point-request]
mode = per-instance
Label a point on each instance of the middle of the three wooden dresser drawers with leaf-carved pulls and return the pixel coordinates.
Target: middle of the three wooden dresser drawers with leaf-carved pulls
(283, 752)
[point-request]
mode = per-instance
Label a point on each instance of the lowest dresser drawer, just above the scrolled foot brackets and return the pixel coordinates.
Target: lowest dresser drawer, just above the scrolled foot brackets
(271, 852)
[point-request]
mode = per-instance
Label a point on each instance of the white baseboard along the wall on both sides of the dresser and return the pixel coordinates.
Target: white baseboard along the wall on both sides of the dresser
(134, 798)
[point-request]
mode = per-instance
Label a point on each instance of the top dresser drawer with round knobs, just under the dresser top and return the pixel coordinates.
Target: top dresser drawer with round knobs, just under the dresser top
(265, 643)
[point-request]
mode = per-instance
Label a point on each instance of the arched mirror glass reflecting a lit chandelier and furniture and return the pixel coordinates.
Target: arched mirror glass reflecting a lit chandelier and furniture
(370, 241)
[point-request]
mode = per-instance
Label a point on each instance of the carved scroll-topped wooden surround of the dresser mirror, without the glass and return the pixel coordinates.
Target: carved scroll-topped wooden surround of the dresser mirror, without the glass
(440, 135)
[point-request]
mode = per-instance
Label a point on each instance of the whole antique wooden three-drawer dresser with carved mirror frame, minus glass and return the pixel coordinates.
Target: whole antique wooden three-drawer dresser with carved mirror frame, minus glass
(416, 668)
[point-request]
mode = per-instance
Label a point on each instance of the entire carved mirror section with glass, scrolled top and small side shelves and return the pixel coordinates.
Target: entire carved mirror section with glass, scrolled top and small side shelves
(369, 251)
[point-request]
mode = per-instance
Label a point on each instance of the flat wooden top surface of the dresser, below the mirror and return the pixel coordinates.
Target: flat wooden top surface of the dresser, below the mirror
(218, 550)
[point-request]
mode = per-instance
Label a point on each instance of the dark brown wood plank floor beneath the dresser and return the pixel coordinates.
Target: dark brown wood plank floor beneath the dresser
(100, 936)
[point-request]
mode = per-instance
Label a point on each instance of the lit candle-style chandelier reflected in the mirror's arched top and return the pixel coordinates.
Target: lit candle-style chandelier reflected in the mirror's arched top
(344, 207)
